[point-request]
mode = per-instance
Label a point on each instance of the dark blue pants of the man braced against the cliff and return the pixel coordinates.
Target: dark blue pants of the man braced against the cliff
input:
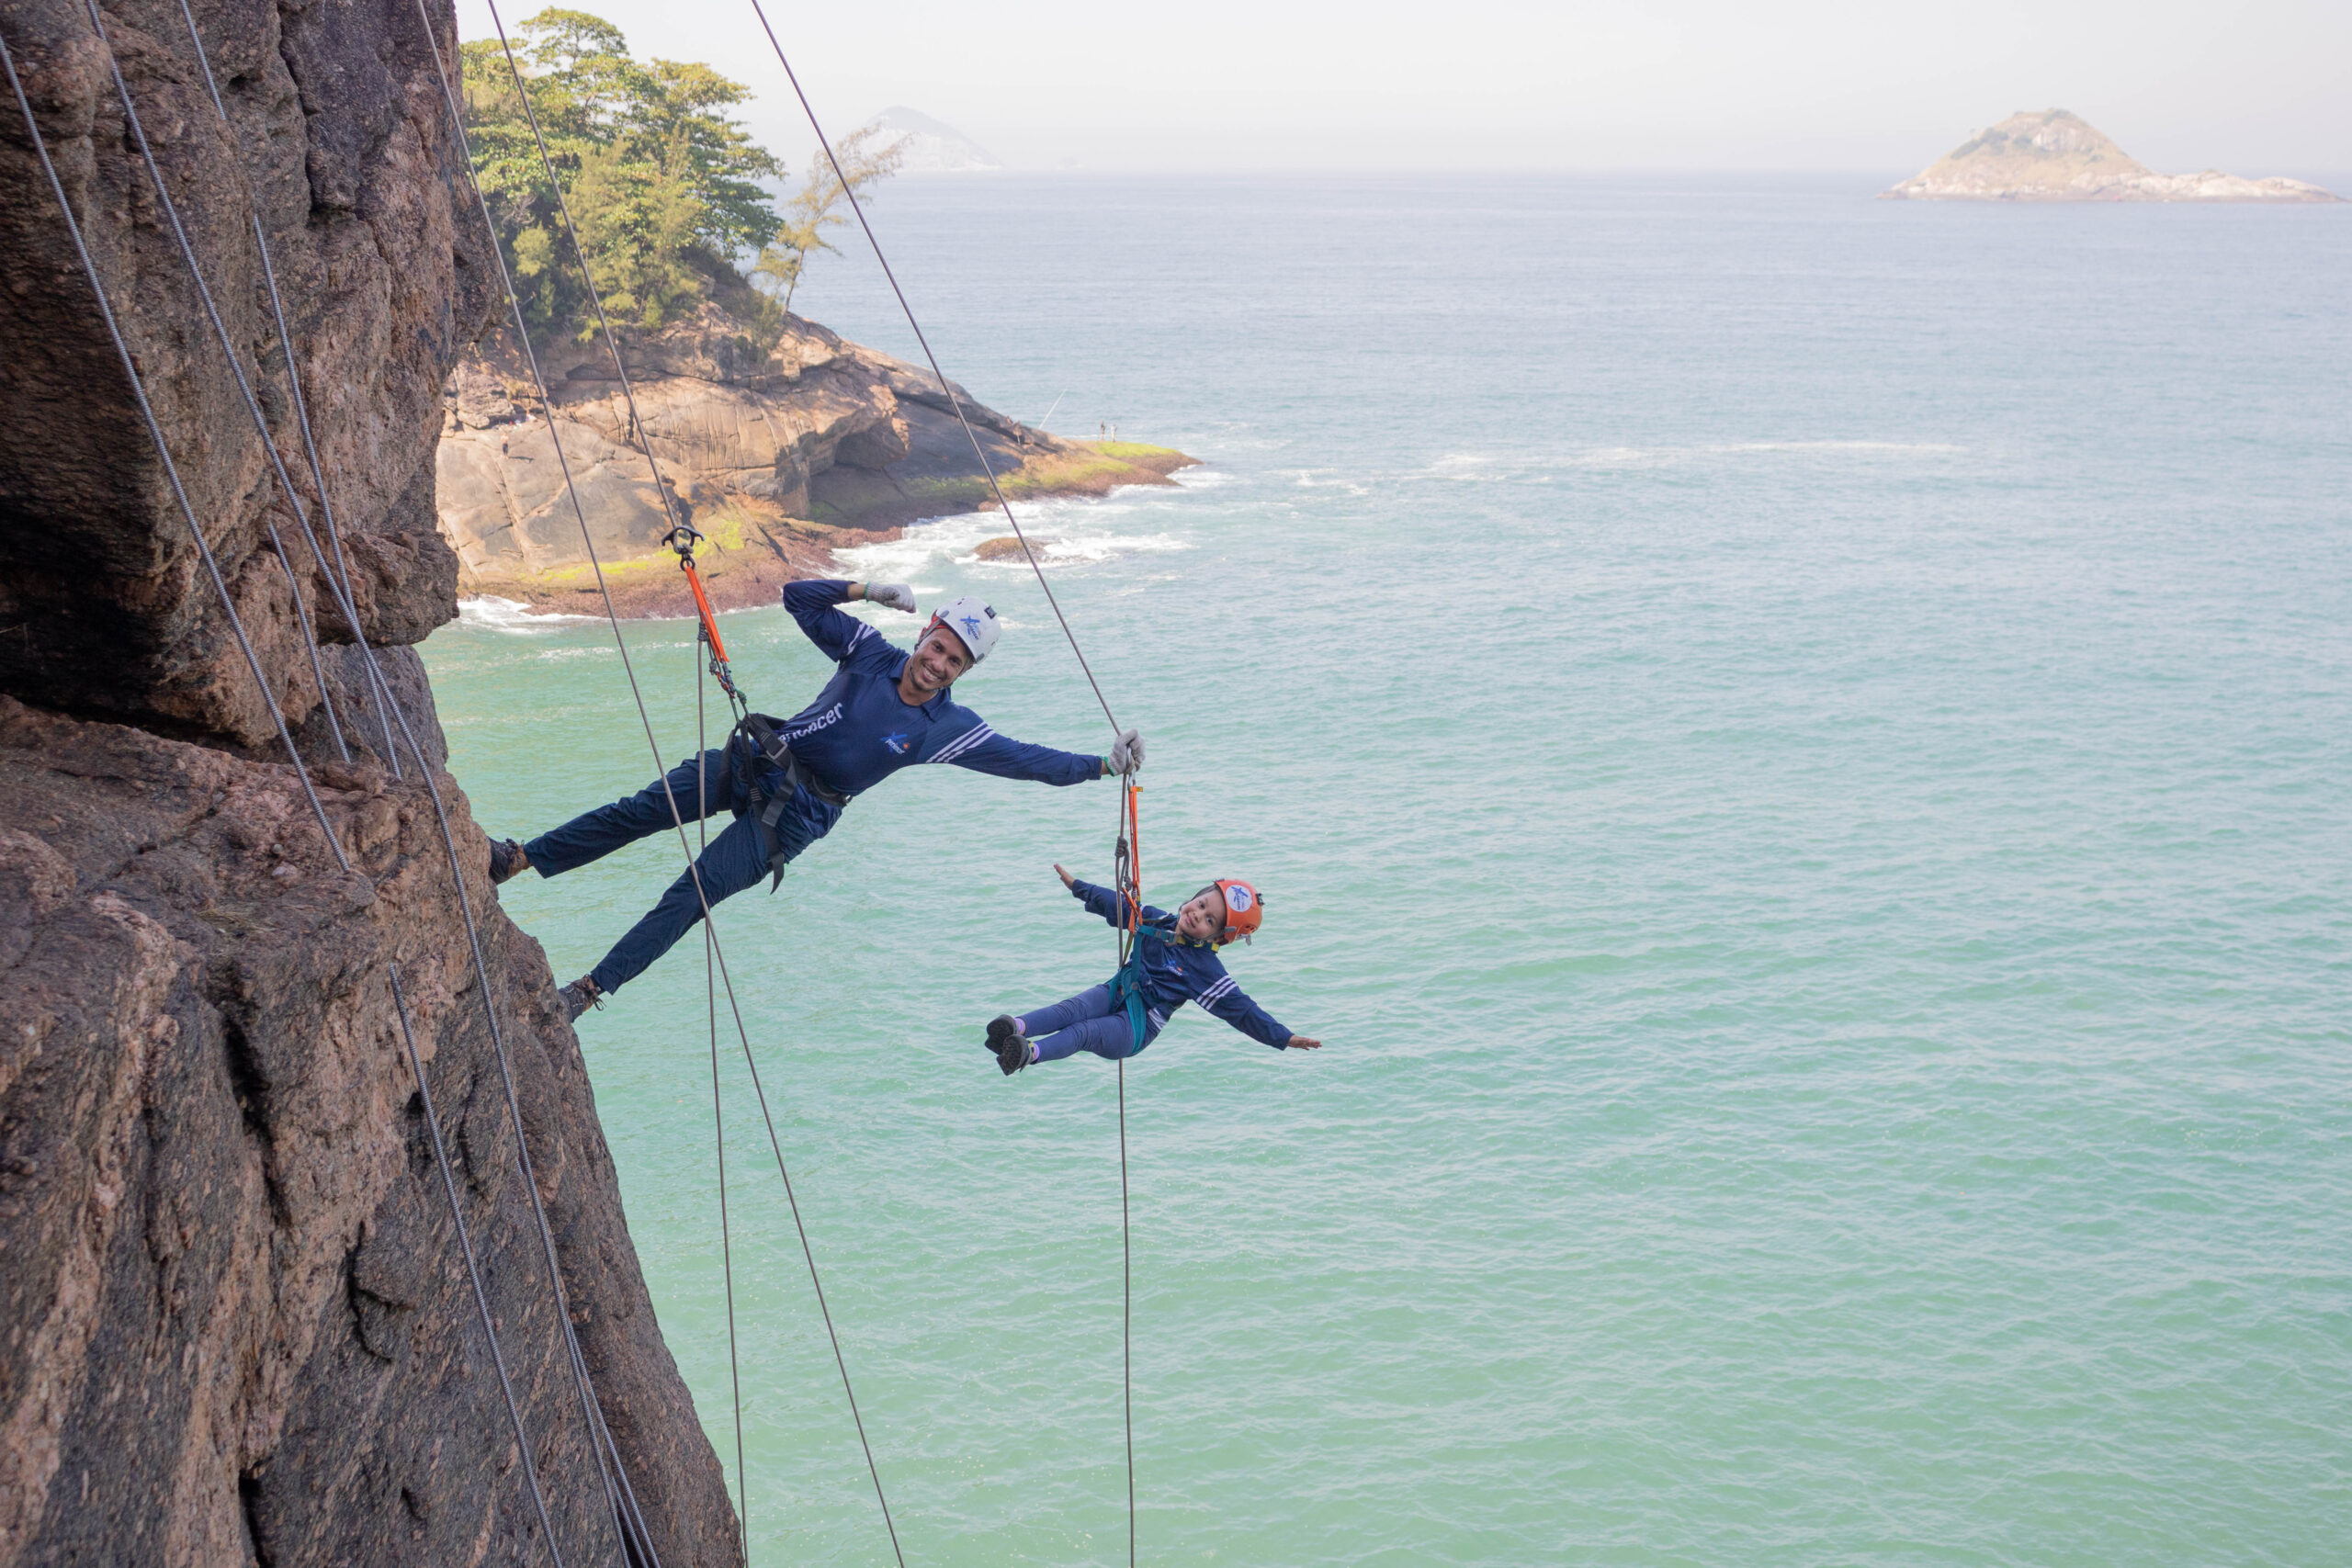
(702, 786)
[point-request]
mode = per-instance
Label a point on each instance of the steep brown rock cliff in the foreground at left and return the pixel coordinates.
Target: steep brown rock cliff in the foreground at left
(236, 1320)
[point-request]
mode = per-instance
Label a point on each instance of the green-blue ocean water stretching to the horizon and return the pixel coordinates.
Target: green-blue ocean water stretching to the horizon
(1800, 751)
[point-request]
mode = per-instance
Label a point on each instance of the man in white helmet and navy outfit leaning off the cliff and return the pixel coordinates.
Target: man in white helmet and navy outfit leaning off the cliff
(789, 782)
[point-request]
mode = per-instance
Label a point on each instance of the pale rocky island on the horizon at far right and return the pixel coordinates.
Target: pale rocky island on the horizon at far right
(2057, 156)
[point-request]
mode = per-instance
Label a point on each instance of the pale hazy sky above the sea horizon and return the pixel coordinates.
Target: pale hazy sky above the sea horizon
(1483, 83)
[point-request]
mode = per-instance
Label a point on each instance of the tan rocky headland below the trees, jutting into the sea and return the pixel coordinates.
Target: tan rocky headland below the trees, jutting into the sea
(777, 455)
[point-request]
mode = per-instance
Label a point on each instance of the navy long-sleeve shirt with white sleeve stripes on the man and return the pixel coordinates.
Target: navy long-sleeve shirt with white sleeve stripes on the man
(860, 732)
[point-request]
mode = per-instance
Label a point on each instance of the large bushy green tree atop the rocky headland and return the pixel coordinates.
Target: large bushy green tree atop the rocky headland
(660, 177)
